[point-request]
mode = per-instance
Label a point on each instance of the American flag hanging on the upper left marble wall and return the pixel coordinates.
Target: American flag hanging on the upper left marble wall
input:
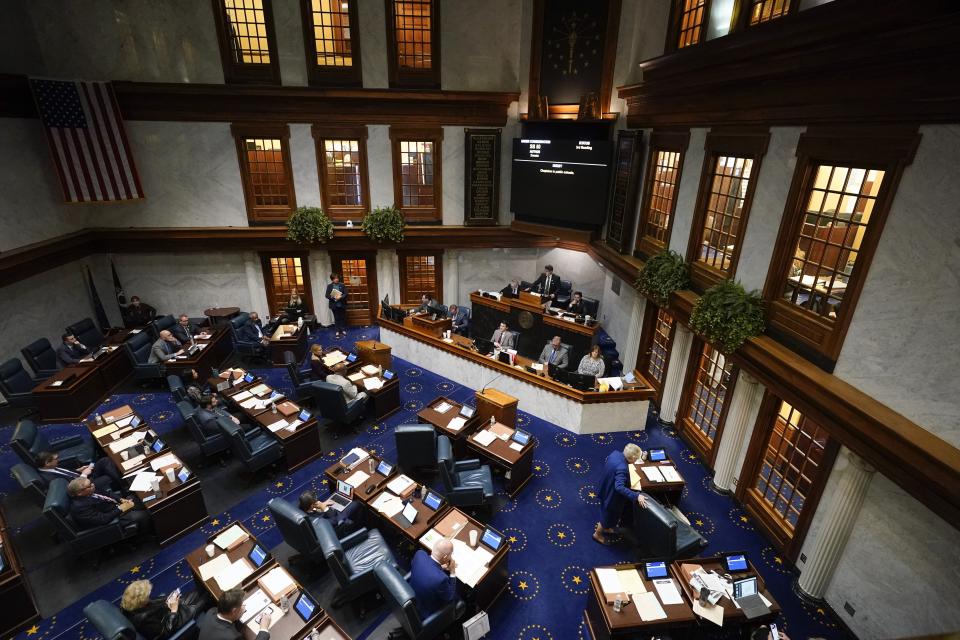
(86, 136)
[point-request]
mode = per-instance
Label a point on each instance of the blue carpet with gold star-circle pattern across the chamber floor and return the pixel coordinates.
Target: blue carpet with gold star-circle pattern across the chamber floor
(549, 524)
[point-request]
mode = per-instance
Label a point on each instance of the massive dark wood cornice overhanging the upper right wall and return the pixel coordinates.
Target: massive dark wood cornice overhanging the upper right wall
(856, 62)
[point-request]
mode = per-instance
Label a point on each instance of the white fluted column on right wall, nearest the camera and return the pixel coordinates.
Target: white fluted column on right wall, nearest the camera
(838, 522)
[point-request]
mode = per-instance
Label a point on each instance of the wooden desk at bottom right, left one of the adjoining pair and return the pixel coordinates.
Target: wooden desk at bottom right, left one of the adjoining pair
(605, 624)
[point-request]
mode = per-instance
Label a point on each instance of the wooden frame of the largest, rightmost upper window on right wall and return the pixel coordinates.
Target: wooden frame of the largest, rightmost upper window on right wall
(891, 150)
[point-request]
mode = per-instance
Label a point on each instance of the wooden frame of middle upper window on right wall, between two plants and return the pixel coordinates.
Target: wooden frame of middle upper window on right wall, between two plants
(743, 143)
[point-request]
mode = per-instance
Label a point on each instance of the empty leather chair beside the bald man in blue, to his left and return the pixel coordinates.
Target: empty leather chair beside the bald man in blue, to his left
(353, 559)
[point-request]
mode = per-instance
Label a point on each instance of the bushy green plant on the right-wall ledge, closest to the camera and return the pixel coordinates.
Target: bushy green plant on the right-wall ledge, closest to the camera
(726, 315)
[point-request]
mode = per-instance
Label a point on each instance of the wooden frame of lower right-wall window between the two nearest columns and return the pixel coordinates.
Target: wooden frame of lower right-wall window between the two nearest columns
(789, 545)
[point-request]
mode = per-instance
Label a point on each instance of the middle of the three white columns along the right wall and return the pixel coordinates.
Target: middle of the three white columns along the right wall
(741, 416)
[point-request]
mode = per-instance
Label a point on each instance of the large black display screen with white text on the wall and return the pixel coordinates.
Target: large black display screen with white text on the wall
(560, 182)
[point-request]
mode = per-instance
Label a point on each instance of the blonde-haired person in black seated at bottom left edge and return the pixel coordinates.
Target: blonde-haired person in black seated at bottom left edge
(158, 618)
